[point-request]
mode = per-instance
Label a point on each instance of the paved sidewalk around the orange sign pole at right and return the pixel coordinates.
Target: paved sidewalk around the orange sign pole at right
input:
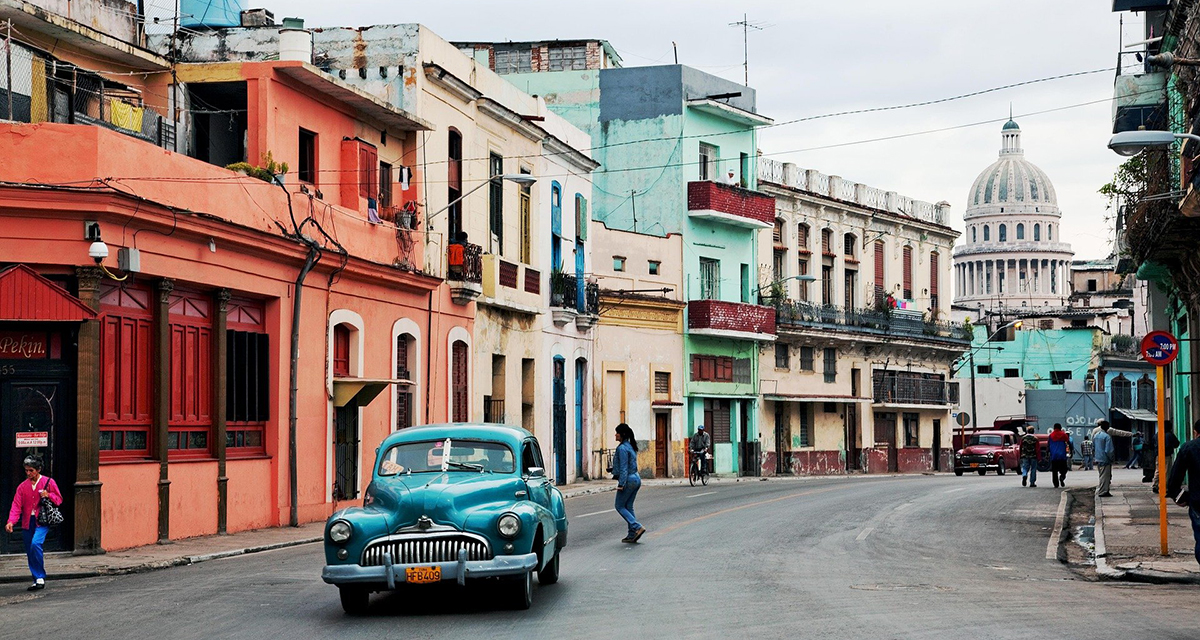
(1127, 536)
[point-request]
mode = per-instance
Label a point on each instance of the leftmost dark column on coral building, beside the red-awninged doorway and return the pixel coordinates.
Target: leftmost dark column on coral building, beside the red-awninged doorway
(87, 487)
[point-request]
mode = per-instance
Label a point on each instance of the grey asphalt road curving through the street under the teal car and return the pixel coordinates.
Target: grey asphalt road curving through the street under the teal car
(823, 558)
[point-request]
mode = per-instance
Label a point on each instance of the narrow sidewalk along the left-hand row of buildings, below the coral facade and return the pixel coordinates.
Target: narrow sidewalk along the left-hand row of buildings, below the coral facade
(64, 566)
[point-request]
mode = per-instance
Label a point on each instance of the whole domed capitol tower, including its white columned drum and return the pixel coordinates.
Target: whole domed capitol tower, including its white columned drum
(1015, 255)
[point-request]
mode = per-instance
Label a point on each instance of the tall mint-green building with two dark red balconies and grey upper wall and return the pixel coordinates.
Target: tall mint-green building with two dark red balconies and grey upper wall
(679, 153)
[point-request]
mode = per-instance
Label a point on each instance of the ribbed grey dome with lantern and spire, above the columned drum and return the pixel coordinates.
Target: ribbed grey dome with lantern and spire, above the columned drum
(1012, 181)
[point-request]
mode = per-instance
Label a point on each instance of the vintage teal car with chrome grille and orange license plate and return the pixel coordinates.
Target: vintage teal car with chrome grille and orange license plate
(449, 503)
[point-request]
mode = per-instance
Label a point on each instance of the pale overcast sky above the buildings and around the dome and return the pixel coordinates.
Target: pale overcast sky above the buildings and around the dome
(824, 57)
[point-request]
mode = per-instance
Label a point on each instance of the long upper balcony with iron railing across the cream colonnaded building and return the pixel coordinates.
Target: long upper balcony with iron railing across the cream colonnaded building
(799, 316)
